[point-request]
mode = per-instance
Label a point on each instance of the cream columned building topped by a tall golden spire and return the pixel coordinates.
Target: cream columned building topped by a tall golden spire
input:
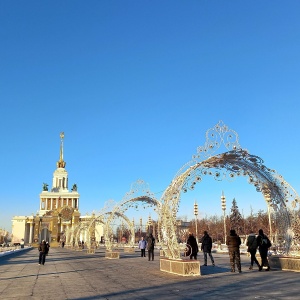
(58, 213)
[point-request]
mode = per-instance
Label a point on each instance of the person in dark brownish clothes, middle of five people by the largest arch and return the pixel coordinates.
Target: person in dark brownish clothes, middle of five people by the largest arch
(233, 243)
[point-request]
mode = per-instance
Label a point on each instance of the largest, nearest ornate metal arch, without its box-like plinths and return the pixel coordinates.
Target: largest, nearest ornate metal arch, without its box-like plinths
(278, 194)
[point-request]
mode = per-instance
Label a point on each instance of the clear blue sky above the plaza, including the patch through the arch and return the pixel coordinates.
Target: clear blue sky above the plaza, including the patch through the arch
(135, 85)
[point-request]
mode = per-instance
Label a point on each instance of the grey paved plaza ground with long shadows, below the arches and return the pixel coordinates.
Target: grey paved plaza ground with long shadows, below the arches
(69, 274)
